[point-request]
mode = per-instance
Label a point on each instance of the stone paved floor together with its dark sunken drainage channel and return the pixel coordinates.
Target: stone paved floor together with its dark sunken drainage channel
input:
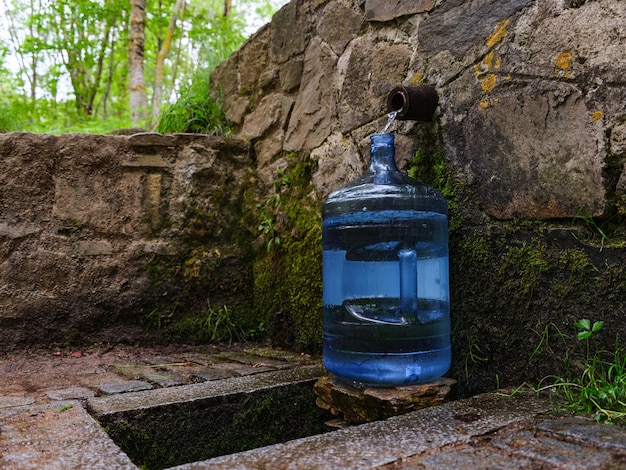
(272, 401)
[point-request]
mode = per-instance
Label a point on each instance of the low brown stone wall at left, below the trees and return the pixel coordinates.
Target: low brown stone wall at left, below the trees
(89, 226)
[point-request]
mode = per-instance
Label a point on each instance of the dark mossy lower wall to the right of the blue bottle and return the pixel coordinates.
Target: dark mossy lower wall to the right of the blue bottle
(514, 289)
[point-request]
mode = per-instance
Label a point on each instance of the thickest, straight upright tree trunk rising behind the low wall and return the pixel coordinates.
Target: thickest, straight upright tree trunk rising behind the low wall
(138, 98)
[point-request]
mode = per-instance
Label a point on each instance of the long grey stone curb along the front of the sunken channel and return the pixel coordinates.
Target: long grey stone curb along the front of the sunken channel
(386, 444)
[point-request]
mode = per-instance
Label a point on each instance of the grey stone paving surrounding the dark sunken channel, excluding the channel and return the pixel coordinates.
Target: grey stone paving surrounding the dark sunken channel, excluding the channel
(44, 421)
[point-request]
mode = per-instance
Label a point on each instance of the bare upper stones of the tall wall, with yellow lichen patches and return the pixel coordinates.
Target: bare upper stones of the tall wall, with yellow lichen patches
(529, 93)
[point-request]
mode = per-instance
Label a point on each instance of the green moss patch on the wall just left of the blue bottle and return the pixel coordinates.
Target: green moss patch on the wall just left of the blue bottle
(288, 278)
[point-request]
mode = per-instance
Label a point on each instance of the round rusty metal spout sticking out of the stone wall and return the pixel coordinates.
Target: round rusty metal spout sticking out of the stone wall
(413, 103)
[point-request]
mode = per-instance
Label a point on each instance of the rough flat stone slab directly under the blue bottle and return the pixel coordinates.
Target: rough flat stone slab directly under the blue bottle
(357, 405)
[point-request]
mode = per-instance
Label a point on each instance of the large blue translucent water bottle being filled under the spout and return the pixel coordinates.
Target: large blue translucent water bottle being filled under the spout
(385, 275)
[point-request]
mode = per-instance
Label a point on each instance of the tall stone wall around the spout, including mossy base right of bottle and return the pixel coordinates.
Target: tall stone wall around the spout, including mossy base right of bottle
(528, 145)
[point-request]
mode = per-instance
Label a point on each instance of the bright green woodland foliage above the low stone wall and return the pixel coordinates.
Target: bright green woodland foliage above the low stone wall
(70, 69)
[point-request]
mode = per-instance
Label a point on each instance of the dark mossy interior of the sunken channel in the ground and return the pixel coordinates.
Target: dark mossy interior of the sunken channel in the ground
(170, 435)
